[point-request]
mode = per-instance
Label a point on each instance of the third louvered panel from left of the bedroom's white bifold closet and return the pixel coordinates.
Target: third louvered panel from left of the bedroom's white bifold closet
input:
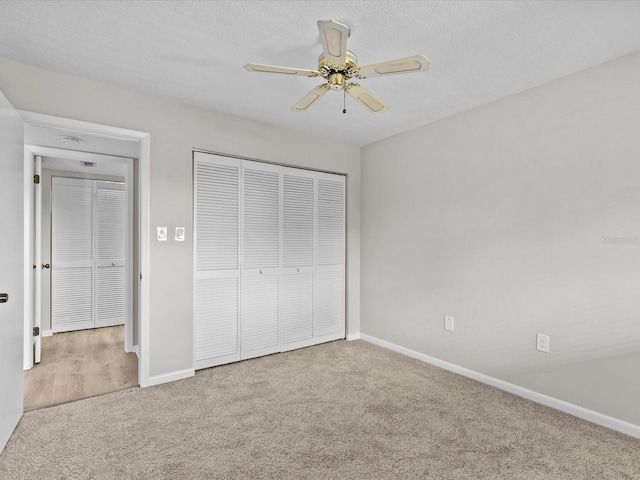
(298, 258)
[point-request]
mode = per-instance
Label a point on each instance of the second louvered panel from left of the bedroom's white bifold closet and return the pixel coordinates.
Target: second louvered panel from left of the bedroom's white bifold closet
(260, 331)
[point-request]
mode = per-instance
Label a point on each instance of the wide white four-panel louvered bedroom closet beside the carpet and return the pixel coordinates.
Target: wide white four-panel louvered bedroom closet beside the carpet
(269, 258)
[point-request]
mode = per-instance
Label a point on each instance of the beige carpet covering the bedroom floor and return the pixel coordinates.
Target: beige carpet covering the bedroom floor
(343, 410)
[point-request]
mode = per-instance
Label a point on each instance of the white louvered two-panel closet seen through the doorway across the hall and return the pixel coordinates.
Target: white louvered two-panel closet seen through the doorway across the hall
(88, 252)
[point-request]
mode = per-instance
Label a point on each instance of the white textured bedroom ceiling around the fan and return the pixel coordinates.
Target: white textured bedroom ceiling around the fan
(194, 52)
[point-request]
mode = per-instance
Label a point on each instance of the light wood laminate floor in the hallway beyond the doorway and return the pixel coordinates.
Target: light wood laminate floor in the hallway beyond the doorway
(77, 365)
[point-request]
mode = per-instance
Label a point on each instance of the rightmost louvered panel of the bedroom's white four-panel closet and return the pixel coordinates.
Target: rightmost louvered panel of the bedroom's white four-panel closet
(330, 268)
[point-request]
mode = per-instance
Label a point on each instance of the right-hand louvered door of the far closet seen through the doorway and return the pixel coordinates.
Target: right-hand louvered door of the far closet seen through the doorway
(111, 287)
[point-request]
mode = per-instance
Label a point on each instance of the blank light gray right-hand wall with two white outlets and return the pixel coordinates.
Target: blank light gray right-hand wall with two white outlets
(517, 217)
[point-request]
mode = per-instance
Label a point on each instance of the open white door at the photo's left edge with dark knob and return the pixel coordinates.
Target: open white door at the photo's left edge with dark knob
(12, 268)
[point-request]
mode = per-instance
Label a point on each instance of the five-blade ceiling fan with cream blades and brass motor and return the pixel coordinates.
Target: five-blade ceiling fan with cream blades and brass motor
(337, 66)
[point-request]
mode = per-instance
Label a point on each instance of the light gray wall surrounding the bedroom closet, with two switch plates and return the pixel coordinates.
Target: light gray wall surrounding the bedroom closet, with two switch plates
(176, 129)
